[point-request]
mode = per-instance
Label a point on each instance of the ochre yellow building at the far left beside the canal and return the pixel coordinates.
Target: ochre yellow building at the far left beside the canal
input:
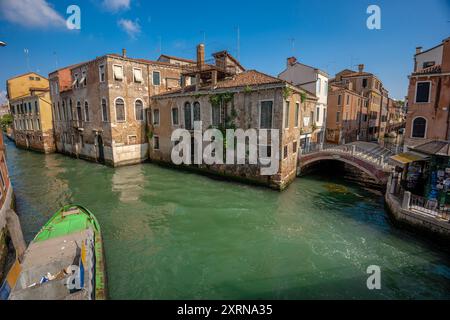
(30, 105)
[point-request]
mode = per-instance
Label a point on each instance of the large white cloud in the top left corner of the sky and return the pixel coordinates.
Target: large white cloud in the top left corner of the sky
(30, 13)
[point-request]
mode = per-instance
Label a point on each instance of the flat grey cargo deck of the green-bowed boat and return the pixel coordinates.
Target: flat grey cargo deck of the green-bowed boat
(53, 257)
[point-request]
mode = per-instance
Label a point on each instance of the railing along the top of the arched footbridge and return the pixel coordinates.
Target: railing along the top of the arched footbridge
(372, 156)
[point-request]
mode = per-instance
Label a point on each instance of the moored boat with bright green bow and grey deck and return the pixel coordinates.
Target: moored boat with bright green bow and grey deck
(65, 261)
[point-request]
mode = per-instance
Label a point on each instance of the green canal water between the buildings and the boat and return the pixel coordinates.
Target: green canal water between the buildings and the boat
(177, 235)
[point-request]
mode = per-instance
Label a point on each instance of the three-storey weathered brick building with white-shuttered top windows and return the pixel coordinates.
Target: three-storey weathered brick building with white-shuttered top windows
(100, 106)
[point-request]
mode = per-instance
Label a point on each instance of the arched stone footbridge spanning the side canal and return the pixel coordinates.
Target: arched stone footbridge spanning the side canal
(367, 157)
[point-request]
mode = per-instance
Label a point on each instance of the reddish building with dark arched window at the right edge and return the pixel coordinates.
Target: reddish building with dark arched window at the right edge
(428, 115)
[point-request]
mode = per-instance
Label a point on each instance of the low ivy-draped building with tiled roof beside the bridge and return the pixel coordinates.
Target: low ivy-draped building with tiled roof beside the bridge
(225, 95)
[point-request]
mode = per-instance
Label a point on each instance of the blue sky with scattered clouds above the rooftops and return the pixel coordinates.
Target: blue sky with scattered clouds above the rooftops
(331, 35)
